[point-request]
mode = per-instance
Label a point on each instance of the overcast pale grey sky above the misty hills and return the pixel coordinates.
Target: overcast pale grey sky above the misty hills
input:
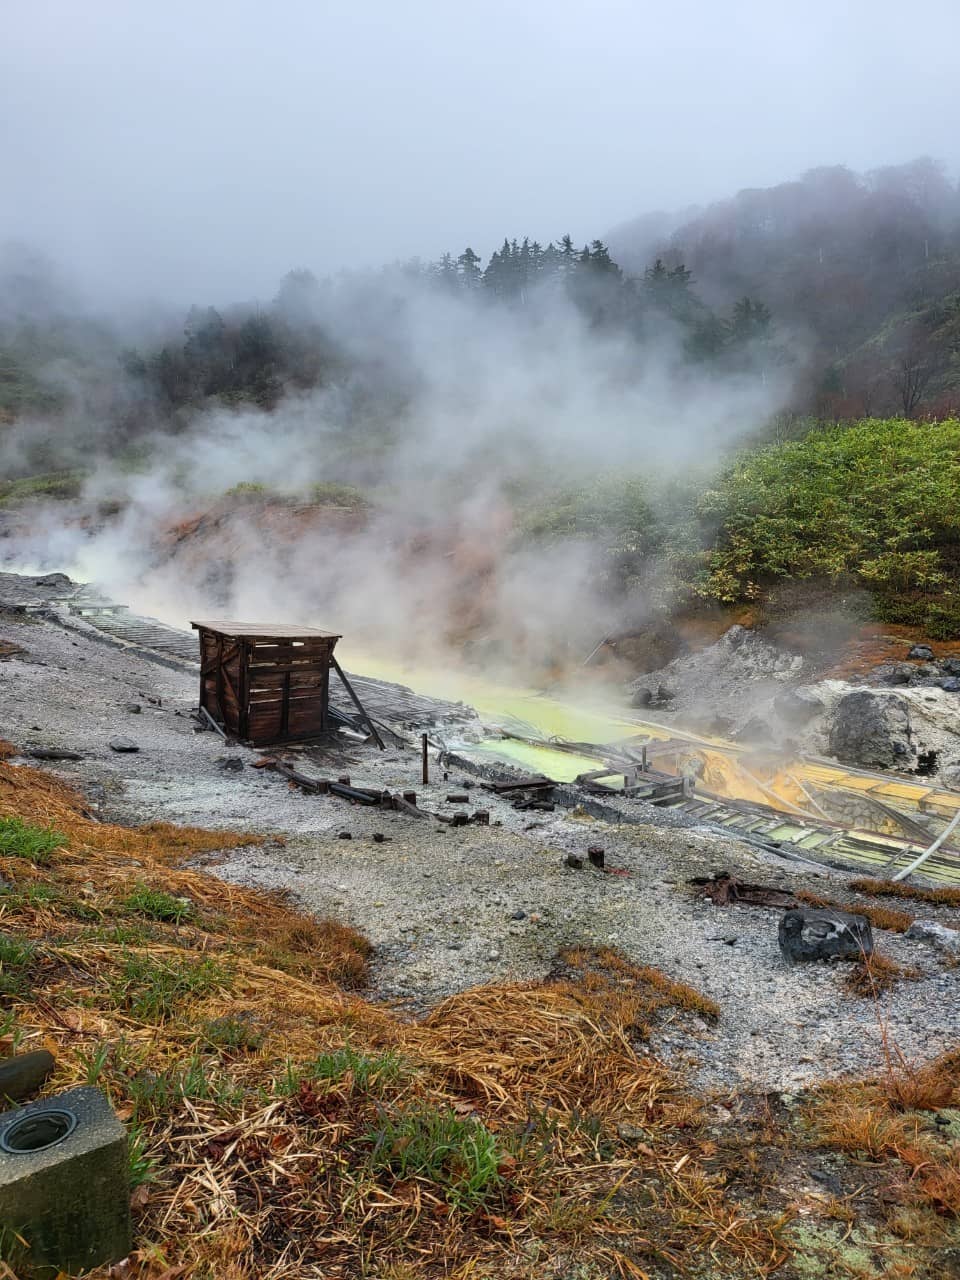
(198, 149)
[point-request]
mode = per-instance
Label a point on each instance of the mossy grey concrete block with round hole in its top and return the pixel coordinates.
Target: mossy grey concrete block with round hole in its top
(65, 1182)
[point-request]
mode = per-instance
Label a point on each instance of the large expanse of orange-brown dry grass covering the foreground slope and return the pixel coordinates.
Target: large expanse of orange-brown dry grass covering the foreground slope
(273, 1103)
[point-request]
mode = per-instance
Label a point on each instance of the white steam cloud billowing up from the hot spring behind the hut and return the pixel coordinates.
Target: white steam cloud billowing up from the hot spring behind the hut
(451, 415)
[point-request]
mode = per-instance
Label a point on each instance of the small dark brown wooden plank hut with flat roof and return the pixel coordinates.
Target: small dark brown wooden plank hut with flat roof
(266, 683)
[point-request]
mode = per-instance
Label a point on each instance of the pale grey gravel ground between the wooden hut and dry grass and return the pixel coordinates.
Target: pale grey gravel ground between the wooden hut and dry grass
(451, 908)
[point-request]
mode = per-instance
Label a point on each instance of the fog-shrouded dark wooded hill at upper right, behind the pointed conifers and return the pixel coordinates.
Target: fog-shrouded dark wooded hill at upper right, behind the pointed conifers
(862, 269)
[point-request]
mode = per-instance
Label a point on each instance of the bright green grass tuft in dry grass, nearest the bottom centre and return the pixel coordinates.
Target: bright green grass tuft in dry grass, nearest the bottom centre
(460, 1156)
